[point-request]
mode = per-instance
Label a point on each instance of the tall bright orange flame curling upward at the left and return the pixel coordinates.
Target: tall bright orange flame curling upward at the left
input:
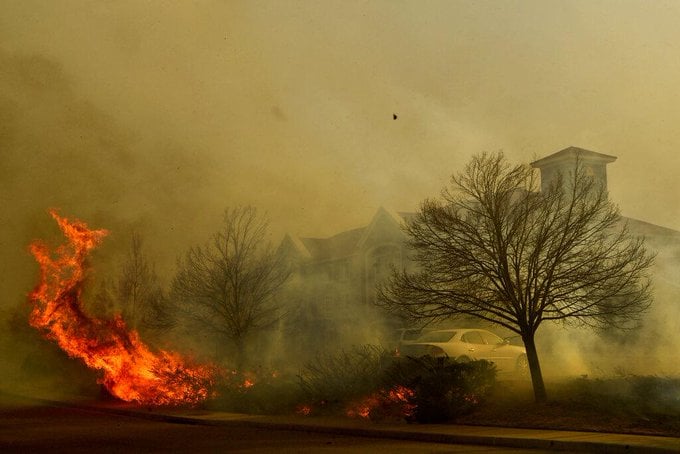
(131, 371)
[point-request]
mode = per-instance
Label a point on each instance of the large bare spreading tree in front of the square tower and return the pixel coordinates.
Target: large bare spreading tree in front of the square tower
(497, 249)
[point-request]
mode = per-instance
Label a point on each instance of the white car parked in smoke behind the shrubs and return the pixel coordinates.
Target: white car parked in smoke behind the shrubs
(466, 344)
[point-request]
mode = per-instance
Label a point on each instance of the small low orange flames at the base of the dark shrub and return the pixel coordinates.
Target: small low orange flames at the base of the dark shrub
(393, 402)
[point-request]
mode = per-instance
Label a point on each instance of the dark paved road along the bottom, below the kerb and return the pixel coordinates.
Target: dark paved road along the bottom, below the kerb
(25, 428)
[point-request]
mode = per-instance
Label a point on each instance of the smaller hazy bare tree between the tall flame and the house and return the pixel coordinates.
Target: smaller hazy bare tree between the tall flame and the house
(227, 286)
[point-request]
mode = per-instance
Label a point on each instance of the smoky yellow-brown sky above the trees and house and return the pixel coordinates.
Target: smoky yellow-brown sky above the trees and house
(156, 115)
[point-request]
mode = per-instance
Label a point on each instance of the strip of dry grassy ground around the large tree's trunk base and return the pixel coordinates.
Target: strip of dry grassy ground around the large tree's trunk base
(631, 404)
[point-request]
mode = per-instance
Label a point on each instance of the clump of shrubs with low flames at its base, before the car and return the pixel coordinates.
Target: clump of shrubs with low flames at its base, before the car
(367, 382)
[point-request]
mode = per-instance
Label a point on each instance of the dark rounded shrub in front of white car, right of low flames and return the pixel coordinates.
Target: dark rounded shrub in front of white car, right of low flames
(441, 388)
